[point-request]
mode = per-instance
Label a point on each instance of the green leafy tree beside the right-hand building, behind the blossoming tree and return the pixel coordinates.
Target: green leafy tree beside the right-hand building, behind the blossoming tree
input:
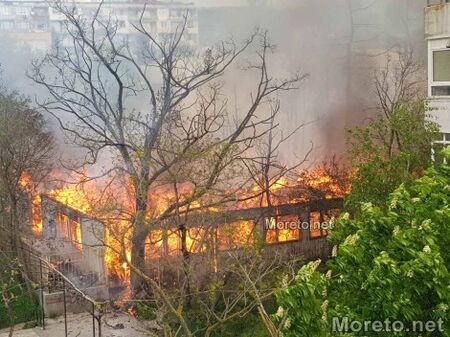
(389, 151)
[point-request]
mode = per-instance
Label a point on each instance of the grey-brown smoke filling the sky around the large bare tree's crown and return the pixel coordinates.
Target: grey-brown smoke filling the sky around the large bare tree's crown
(339, 43)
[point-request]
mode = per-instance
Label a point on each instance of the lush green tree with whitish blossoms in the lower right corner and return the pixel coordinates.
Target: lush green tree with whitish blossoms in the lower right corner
(393, 262)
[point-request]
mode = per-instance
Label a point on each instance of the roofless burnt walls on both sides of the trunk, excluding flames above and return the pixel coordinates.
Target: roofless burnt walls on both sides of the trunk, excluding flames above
(73, 243)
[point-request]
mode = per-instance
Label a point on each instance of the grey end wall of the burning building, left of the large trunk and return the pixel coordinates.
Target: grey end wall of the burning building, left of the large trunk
(72, 243)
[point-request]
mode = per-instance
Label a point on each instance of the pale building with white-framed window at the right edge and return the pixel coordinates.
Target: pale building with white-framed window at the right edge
(437, 33)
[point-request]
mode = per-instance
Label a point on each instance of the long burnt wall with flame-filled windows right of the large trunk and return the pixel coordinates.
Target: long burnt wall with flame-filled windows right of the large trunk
(291, 230)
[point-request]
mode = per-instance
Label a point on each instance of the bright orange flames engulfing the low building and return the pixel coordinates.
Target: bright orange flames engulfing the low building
(102, 203)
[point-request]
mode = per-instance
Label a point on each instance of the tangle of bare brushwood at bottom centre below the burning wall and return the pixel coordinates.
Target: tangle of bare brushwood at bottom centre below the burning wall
(246, 283)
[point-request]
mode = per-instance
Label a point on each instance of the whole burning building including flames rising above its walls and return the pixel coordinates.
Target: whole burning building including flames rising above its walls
(69, 236)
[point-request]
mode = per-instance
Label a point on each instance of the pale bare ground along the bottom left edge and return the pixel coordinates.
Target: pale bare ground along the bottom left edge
(80, 325)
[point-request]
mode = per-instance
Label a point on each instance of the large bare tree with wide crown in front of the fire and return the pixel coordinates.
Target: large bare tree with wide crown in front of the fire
(157, 108)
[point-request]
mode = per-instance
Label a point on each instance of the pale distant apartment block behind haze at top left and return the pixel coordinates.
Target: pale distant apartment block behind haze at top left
(37, 25)
